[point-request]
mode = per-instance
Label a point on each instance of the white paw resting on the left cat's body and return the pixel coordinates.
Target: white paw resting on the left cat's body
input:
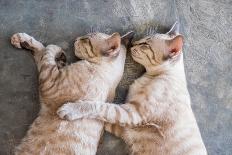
(67, 112)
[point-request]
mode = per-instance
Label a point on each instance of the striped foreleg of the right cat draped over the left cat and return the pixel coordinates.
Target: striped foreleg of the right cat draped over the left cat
(124, 114)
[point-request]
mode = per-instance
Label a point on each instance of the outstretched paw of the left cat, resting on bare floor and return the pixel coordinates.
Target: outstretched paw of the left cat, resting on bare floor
(21, 40)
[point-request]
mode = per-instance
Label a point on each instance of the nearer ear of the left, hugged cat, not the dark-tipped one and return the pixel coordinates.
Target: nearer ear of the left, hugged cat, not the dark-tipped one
(113, 45)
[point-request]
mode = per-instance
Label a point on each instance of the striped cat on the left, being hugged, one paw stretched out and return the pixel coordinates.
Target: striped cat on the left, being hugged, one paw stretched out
(95, 77)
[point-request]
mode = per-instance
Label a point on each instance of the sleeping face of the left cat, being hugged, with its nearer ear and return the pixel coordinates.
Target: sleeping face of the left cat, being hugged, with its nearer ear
(95, 46)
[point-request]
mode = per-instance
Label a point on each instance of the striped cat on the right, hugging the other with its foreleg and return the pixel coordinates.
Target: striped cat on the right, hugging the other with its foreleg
(157, 118)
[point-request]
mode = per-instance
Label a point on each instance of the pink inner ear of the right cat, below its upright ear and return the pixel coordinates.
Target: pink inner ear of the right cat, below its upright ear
(174, 46)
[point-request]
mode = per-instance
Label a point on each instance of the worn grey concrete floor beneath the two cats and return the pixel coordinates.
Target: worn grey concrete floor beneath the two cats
(206, 25)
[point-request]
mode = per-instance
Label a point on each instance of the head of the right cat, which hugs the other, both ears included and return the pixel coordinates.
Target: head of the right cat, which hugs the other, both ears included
(157, 49)
